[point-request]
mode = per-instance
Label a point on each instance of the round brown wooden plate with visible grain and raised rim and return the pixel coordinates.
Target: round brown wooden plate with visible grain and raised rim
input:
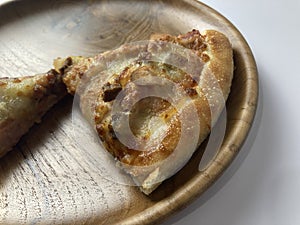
(47, 179)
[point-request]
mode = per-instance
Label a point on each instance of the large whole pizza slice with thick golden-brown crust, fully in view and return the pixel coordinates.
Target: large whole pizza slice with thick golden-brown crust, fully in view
(154, 118)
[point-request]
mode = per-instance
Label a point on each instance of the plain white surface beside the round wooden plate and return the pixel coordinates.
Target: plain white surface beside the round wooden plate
(262, 186)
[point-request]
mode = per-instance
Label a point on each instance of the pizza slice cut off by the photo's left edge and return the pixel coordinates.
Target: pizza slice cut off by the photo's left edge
(23, 102)
